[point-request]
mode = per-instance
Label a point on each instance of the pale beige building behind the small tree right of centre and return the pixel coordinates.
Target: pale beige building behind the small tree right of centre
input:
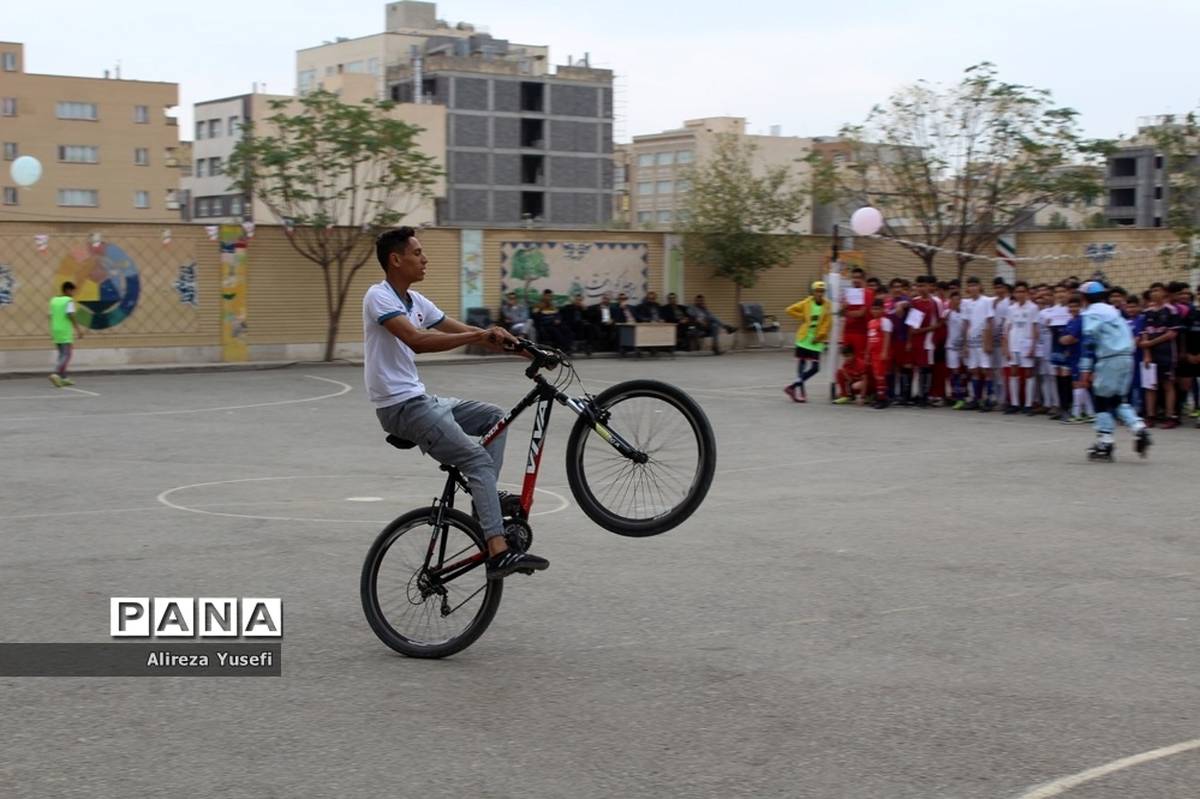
(658, 165)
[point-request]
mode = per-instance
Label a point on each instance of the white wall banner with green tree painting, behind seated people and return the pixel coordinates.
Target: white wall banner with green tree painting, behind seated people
(567, 268)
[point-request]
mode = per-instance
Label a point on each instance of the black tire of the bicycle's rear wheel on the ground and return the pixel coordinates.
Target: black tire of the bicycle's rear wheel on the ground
(377, 616)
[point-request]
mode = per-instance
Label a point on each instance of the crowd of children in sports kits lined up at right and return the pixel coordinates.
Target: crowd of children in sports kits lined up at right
(1019, 350)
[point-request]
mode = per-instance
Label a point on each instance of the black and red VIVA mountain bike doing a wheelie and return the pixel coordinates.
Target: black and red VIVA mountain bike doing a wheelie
(424, 586)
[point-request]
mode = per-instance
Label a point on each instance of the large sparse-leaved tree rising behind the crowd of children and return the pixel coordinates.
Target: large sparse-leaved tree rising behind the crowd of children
(956, 167)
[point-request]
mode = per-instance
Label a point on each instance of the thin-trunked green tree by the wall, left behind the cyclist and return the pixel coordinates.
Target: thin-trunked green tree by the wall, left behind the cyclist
(335, 175)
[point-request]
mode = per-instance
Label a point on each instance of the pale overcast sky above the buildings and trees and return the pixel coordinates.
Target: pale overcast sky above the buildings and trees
(807, 67)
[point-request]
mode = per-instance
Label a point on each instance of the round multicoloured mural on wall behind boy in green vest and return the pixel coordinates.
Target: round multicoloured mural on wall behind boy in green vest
(107, 285)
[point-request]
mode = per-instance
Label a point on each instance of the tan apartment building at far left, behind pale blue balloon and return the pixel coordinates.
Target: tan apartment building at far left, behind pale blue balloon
(109, 147)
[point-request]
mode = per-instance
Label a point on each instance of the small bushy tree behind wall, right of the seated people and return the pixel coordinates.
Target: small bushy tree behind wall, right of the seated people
(736, 218)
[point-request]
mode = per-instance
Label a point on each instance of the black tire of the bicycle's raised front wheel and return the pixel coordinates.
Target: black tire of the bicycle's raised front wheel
(706, 466)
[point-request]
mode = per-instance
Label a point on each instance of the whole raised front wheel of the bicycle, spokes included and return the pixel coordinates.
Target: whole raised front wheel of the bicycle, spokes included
(640, 497)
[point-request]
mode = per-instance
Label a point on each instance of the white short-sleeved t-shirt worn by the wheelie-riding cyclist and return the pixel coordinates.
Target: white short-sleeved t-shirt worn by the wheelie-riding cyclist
(388, 365)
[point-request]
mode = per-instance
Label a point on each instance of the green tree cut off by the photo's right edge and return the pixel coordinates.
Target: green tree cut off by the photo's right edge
(1178, 140)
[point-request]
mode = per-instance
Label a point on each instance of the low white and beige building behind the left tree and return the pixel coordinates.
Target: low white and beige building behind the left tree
(209, 196)
